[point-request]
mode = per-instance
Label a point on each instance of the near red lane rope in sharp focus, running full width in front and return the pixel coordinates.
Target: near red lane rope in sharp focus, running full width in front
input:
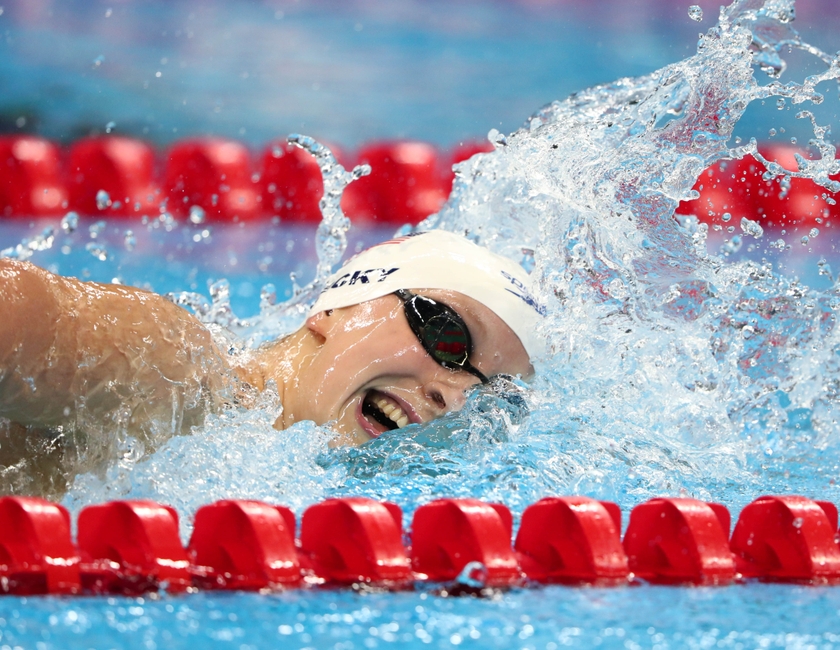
(131, 547)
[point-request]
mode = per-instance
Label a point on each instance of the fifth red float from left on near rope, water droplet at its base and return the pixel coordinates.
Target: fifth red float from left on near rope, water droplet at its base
(449, 534)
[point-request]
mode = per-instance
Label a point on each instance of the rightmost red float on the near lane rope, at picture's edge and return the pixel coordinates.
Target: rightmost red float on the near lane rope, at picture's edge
(787, 538)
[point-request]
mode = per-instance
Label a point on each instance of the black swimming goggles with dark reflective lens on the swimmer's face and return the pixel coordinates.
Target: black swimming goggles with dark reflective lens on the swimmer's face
(441, 331)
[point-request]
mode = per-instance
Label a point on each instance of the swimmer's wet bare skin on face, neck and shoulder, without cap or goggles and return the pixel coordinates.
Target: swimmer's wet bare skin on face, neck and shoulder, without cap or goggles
(101, 359)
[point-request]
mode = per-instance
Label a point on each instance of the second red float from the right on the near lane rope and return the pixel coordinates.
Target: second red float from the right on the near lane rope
(680, 541)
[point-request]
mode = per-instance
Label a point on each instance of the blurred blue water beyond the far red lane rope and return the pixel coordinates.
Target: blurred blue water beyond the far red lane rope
(348, 71)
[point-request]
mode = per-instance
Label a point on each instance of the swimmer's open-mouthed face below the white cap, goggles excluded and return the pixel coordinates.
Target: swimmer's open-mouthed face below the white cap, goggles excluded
(370, 373)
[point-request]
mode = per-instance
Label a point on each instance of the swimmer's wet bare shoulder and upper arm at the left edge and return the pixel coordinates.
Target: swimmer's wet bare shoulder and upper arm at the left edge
(67, 345)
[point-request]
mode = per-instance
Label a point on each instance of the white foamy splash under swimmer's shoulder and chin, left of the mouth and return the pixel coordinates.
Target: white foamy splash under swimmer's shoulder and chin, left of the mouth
(236, 454)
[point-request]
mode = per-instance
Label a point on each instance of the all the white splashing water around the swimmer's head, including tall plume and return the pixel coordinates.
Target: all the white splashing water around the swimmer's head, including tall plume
(671, 370)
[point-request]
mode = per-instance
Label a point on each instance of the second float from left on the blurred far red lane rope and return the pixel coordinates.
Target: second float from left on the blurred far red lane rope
(112, 176)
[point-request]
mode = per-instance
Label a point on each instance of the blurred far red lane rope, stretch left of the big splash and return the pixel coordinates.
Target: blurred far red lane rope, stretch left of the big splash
(115, 176)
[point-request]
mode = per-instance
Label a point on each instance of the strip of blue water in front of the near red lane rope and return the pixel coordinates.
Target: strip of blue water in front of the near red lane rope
(770, 616)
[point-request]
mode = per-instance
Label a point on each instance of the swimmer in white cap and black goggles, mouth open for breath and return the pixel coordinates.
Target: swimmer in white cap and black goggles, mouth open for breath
(397, 337)
